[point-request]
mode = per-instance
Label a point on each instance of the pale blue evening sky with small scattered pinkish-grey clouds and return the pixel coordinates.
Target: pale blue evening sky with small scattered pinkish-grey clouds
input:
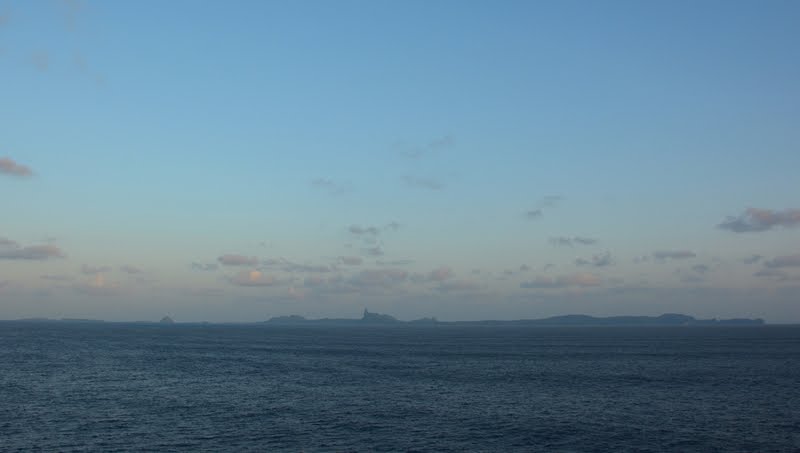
(239, 160)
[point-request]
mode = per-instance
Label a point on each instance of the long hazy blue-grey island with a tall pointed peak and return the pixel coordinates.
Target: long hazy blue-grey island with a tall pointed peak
(667, 319)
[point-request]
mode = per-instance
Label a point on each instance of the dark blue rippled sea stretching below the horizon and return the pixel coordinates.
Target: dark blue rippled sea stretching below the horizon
(123, 387)
